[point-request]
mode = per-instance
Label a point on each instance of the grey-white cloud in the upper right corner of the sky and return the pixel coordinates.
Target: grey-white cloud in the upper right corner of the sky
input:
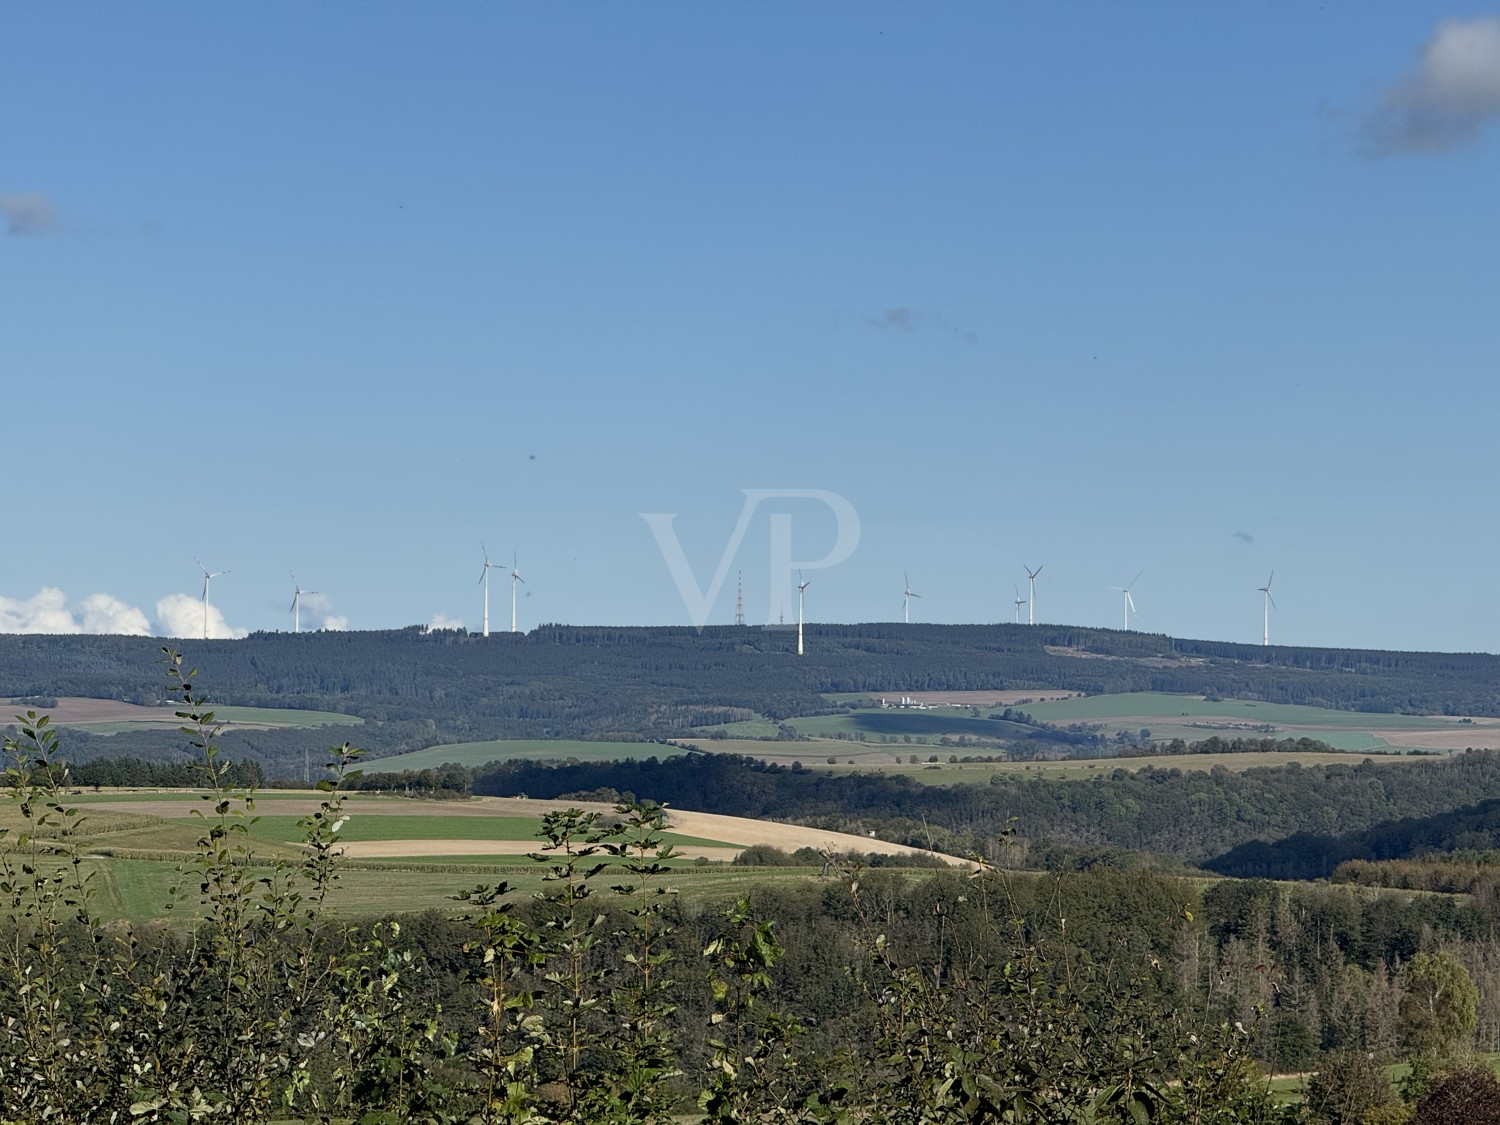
(1448, 98)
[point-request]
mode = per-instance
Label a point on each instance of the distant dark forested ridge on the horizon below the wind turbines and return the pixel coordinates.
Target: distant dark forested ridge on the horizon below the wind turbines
(416, 688)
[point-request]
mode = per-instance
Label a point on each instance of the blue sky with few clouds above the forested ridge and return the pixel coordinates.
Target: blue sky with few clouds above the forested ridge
(344, 290)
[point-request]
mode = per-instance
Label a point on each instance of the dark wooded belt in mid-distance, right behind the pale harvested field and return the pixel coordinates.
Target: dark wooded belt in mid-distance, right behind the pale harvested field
(1195, 817)
